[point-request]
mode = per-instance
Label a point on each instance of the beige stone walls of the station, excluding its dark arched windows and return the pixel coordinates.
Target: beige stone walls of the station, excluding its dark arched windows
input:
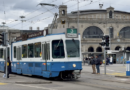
(99, 18)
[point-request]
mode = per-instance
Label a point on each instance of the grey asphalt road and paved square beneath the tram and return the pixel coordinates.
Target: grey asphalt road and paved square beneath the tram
(87, 81)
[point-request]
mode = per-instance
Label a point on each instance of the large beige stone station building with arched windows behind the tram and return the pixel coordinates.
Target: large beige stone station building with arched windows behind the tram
(95, 23)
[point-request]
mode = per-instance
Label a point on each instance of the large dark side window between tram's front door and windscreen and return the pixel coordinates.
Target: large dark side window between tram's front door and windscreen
(58, 49)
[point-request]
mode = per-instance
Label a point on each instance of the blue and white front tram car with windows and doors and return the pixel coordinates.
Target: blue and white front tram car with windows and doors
(48, 56)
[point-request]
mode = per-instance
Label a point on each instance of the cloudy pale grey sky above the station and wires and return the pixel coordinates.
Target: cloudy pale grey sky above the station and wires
(38, 16)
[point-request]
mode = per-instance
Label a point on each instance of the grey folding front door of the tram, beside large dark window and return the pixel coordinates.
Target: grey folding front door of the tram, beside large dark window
(45, 54)
